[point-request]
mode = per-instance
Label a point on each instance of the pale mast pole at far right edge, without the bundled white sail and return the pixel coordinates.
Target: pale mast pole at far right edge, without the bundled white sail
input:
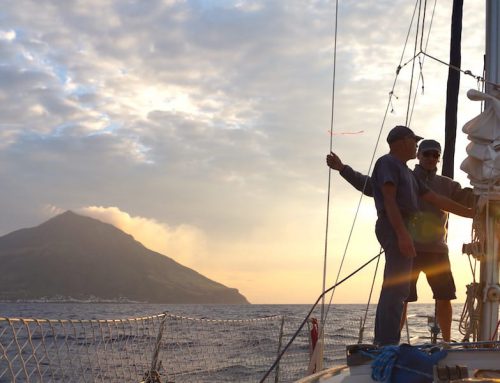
(489, 264)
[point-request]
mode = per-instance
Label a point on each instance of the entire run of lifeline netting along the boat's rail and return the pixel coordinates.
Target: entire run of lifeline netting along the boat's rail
(179, 349)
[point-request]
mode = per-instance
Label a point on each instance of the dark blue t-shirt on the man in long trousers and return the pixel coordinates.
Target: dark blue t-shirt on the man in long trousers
(388, 169)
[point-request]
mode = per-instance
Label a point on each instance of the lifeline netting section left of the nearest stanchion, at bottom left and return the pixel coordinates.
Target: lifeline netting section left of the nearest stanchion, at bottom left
(41, 350)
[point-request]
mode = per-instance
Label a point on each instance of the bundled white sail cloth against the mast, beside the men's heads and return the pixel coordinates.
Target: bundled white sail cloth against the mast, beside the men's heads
(483, 162)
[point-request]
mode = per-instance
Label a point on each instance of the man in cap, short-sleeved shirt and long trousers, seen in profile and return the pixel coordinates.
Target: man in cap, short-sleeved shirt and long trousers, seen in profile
(396, 192)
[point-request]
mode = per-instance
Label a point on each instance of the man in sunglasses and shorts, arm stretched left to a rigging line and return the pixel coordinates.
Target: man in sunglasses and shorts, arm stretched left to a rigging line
(428, 229)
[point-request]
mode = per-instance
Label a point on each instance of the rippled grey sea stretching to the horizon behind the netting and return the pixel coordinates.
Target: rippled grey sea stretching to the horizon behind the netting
(200, 343)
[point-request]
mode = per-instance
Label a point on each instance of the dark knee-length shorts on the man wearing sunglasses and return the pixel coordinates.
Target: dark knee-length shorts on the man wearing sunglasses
(436, 267)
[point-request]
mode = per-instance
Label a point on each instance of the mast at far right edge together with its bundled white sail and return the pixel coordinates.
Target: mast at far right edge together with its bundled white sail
(483, 167)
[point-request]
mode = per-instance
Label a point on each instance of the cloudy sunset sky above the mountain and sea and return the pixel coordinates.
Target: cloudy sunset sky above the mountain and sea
(201, 128)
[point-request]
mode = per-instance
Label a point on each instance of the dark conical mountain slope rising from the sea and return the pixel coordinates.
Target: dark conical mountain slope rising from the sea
(80, 257)
